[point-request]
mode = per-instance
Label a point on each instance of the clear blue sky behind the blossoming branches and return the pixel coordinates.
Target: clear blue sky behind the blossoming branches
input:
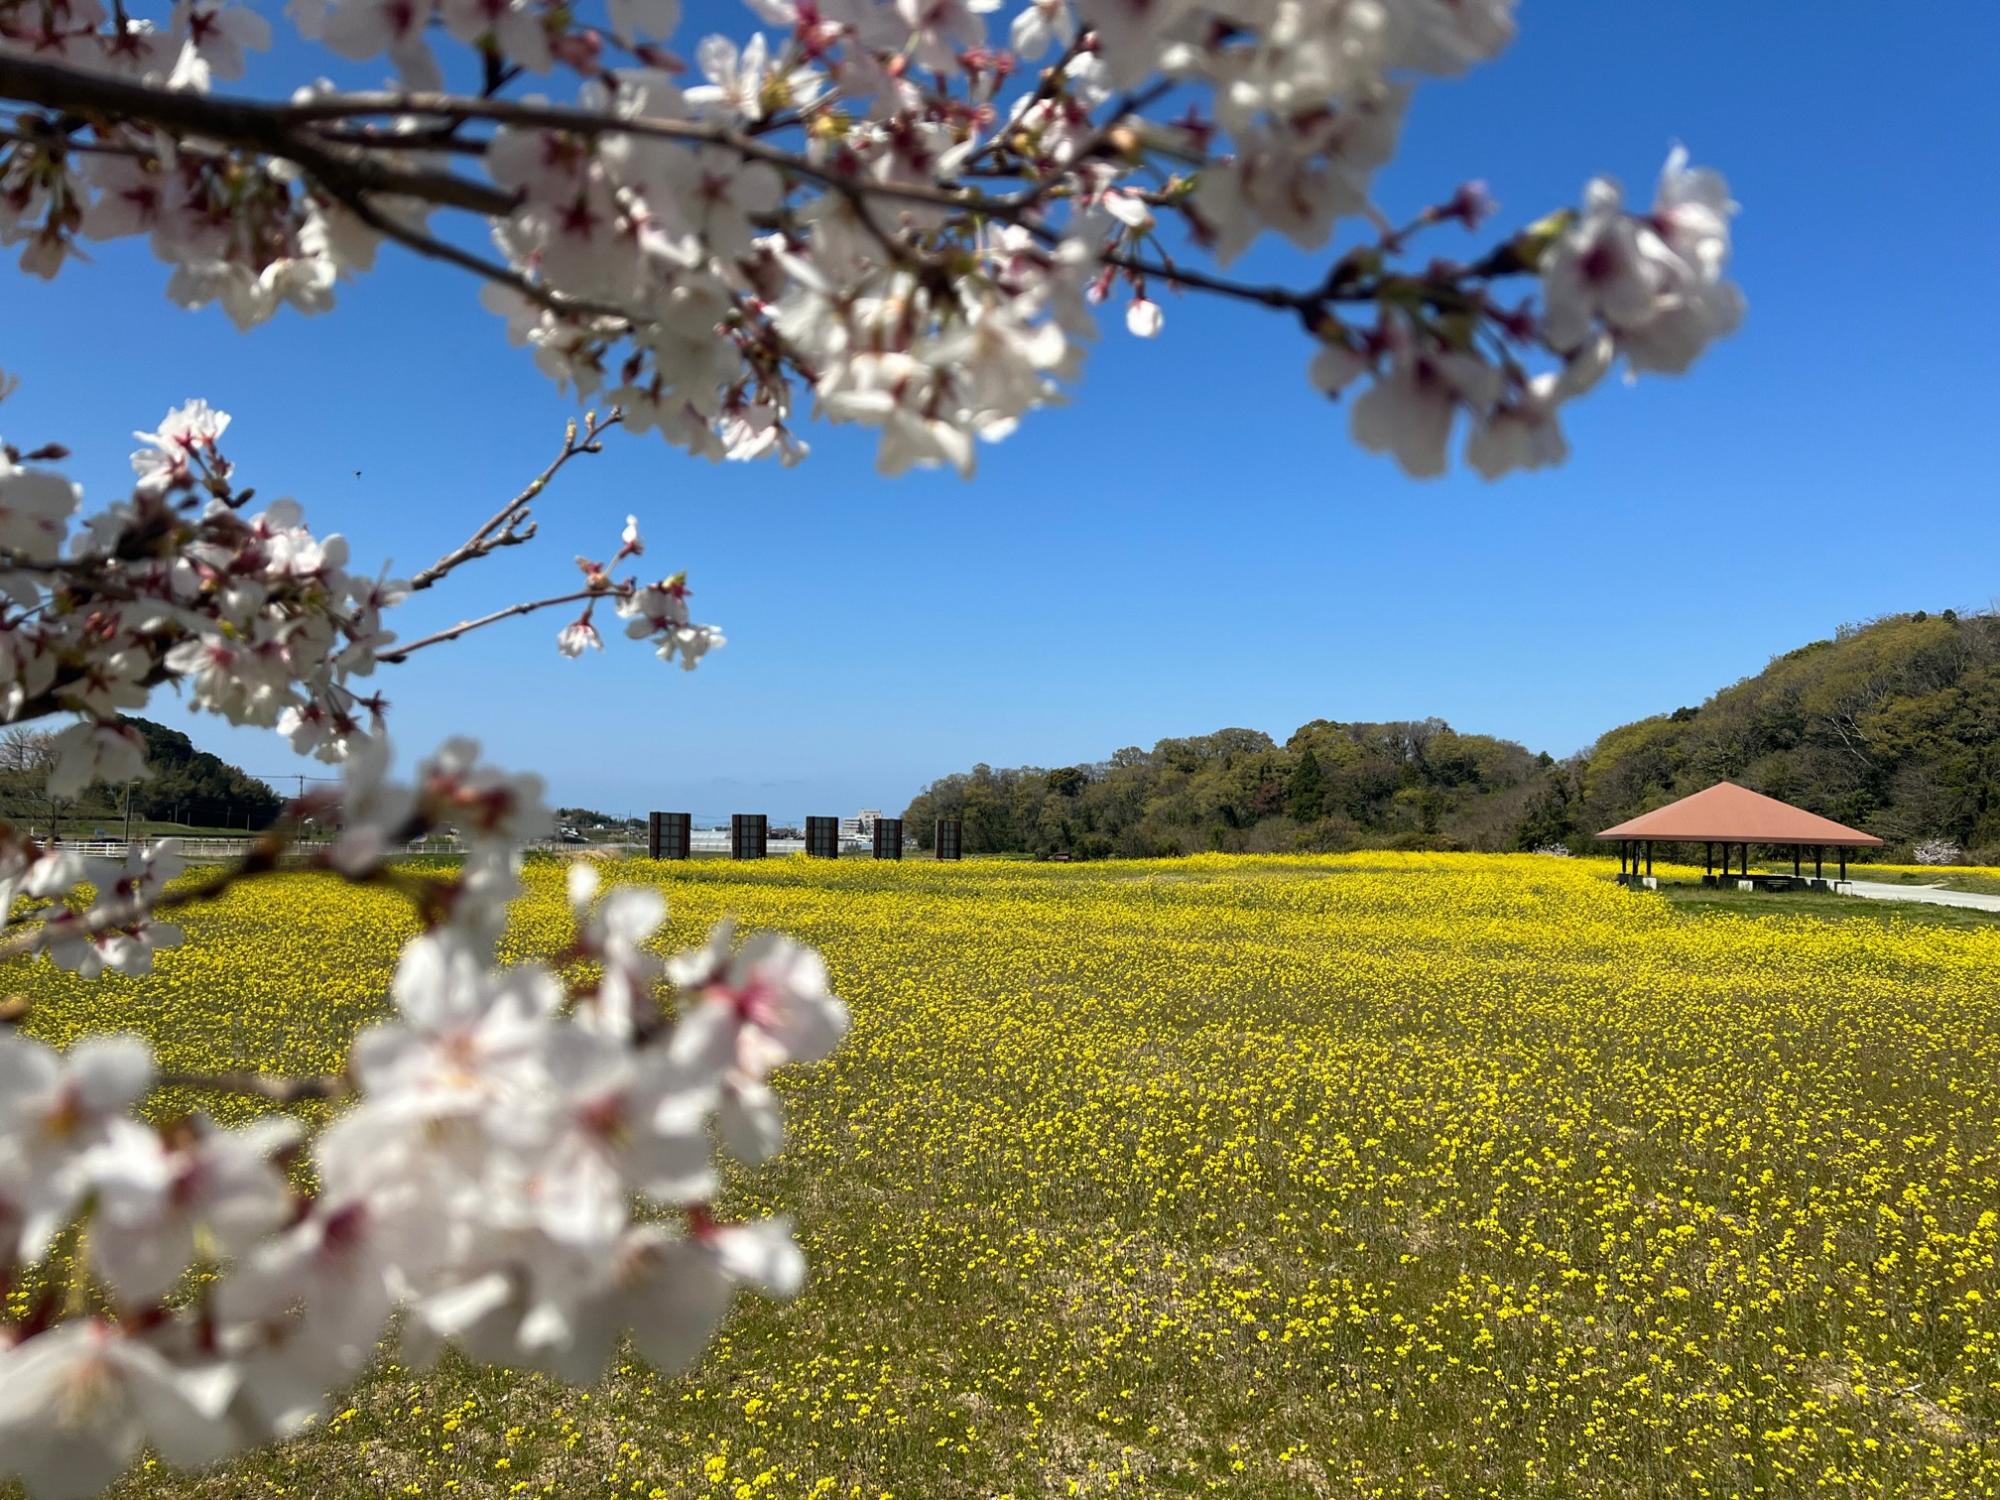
(1195, 543)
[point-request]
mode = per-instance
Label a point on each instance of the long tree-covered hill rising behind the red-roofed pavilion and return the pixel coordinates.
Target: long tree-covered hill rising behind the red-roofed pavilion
(1889, 727)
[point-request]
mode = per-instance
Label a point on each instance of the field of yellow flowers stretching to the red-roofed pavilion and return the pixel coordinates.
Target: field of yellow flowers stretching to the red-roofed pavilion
(1383, 1175)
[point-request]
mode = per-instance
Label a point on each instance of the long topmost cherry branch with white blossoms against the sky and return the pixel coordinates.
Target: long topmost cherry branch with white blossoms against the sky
(603, 249)
